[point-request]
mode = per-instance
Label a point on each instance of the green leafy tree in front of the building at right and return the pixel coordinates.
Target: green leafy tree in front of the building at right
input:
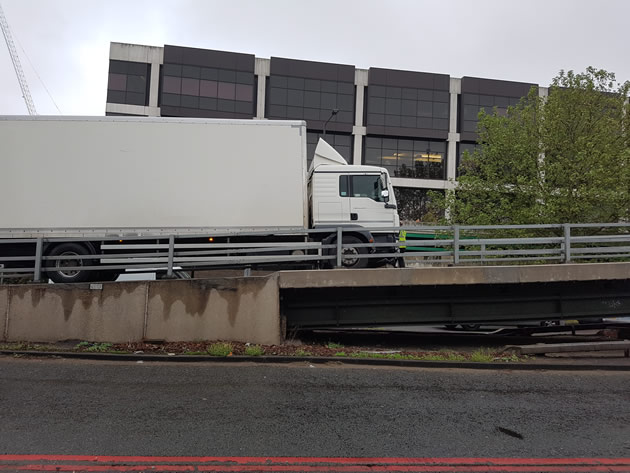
(562, 159)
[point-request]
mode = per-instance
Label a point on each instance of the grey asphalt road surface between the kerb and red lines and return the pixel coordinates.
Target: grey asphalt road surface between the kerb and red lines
(108, 408)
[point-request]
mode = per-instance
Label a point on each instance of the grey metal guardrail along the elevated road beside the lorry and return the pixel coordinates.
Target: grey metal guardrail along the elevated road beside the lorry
(456, 245)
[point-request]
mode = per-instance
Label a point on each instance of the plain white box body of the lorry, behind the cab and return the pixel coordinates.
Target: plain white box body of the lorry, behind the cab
(127, 172)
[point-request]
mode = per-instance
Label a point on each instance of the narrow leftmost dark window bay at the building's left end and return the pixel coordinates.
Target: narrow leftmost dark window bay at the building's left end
(128, 82)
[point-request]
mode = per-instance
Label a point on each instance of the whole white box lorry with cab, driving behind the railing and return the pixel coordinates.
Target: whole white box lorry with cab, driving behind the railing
(89, 178)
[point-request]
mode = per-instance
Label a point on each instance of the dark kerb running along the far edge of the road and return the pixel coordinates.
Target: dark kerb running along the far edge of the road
(322, 360)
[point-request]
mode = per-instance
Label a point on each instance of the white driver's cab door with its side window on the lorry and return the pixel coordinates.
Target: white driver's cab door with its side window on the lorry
(367, 205)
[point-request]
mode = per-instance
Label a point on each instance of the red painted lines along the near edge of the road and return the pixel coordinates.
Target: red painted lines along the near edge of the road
(90, 463)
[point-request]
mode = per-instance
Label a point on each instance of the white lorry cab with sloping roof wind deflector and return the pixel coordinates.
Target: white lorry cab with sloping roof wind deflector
(348, 195)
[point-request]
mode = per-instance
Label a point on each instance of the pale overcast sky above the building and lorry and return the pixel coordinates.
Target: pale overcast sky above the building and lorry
(64, 44)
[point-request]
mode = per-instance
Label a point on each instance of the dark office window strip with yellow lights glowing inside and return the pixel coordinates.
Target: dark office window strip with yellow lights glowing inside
(424, 159)
